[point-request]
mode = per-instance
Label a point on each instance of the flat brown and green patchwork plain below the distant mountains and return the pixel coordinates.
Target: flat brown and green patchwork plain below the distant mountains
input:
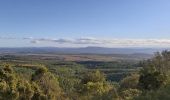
(115, 66)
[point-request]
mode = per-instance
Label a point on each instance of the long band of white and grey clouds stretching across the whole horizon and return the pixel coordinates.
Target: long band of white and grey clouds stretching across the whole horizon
(102, 42)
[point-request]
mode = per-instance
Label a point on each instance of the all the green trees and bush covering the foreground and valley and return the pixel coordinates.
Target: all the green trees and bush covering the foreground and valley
(149, 80)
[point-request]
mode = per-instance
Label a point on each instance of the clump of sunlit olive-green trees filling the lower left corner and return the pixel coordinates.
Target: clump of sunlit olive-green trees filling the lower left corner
(14, 87)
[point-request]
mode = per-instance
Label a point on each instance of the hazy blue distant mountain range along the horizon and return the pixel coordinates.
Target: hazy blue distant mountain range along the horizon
(83, 50)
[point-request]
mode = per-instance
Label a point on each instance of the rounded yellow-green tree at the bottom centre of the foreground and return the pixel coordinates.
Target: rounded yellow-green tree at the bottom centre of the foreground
(94, 86)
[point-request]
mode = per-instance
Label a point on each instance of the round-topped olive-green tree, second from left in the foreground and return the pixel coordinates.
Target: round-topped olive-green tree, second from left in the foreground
(48, 83)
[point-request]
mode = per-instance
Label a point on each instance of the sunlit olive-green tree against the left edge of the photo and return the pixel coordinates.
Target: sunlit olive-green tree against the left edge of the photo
(8, 84)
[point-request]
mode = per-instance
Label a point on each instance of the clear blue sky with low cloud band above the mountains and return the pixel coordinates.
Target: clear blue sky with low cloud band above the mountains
(81, 23)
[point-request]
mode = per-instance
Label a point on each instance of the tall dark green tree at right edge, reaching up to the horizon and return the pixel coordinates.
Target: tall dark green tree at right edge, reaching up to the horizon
(155, 71)
